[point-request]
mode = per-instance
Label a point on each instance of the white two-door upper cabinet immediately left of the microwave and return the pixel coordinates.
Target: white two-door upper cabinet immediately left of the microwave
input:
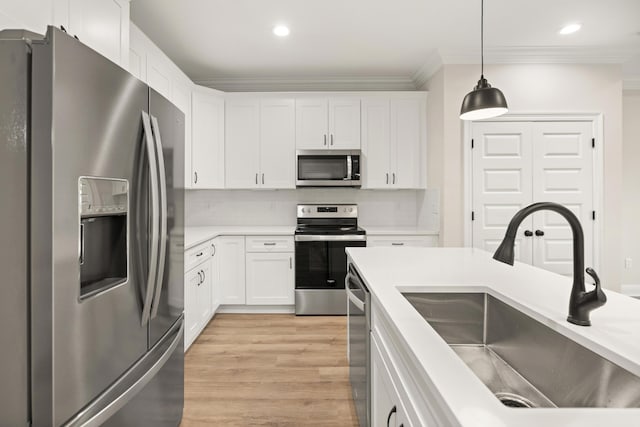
(260, 143)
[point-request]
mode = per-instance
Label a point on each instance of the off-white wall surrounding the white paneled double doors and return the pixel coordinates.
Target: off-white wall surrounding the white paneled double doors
(531, 88)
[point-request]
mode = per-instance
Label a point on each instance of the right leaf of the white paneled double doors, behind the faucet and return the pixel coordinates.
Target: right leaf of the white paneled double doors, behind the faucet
(562, 173)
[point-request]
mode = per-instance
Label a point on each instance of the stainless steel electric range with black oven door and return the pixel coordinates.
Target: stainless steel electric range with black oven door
(322, 234)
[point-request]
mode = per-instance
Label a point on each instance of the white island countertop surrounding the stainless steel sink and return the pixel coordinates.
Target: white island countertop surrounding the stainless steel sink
(615, 333)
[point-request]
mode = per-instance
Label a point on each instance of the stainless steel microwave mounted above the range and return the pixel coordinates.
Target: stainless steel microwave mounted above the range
(328, 168)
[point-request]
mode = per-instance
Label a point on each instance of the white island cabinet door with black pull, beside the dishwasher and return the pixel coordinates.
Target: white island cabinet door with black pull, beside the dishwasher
(387, 408)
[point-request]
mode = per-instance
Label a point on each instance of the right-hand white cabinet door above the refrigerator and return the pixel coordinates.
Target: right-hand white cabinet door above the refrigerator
(103, 25)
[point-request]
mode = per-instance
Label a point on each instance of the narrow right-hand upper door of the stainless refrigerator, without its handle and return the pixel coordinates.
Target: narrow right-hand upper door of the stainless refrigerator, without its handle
(171, 303)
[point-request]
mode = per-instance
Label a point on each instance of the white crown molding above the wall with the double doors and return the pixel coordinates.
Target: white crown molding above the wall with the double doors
(539, 55)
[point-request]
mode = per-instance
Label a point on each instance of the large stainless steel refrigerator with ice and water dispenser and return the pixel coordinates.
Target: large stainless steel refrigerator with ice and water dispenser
(91, 220)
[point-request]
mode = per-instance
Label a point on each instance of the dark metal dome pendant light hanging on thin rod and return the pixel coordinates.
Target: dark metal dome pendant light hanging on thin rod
(483, 101)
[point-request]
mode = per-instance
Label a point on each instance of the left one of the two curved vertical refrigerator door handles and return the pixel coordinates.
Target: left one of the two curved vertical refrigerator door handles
(155, 220)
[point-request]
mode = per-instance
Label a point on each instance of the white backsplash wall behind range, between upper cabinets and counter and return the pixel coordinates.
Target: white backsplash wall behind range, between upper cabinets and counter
(278, 207)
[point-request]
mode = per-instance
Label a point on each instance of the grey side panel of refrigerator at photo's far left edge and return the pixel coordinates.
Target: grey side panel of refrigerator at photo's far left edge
(14, 308)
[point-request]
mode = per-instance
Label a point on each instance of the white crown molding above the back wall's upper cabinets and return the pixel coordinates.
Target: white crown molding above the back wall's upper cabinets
(293, 84)
